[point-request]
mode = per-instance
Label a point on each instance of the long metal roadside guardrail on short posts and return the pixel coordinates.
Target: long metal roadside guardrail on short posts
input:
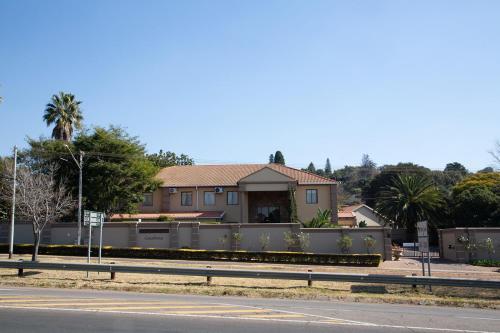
(255, 274)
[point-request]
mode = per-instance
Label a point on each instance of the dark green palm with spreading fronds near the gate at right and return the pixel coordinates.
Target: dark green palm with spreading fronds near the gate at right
(409, 199)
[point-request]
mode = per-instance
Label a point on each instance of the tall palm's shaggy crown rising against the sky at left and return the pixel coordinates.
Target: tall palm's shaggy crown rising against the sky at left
(64, 111)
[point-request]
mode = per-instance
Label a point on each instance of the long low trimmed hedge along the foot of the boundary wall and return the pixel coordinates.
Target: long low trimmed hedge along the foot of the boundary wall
(371, 260)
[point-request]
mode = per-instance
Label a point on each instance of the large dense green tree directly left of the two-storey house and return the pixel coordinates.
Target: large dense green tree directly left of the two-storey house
(116, 170)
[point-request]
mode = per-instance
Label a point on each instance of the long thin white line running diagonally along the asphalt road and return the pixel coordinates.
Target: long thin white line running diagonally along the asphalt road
(332, 321)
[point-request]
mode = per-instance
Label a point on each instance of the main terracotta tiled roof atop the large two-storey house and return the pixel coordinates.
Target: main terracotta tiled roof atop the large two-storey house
(228, 175)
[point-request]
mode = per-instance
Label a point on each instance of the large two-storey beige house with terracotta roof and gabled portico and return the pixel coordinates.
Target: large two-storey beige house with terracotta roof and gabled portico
(238, 193)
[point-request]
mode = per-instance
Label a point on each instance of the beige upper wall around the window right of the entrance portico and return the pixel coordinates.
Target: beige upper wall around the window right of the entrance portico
(307, 211)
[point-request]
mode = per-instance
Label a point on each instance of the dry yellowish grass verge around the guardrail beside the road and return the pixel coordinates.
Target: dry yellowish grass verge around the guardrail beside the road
(470, 297)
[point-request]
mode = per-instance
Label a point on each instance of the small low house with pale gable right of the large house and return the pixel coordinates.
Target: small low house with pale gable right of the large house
(353, 215)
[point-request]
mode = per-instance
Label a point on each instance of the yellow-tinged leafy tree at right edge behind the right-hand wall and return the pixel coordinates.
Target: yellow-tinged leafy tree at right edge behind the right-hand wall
(476, 201)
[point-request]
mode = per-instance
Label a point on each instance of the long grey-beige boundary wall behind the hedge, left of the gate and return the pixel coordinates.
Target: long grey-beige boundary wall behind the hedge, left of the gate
(194, 235)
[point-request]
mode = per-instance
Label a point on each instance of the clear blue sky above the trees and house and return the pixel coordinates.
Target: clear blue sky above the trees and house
(233, 81)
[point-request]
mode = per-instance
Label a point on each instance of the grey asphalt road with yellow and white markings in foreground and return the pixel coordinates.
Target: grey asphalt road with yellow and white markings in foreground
(63, 310)
